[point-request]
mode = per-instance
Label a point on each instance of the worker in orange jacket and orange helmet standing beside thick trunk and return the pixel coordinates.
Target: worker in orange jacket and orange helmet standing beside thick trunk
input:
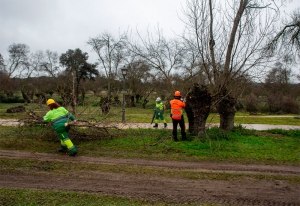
(177, 107)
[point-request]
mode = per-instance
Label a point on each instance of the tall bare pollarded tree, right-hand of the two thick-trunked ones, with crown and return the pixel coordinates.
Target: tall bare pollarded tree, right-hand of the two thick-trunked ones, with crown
(229, 37)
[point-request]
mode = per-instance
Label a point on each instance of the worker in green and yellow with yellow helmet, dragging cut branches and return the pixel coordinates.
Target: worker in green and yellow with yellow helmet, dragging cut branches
(60, 118)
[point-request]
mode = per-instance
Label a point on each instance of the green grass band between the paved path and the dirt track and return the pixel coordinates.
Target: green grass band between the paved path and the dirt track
(240, 145)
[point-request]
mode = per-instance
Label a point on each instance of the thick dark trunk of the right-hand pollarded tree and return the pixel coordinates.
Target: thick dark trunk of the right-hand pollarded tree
(226, 109)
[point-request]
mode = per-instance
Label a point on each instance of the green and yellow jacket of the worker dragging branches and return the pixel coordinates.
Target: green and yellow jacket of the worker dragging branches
(58, 117)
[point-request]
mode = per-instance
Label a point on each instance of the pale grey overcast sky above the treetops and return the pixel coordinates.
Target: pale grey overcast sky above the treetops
(59, 25)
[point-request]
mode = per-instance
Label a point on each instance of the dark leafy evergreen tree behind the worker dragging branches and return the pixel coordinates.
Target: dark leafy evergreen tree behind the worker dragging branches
(77, 68)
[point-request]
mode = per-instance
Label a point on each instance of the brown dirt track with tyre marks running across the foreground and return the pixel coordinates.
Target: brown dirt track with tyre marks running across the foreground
(162, 188)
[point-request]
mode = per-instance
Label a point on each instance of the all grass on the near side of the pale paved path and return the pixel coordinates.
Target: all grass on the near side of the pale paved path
(241, 145)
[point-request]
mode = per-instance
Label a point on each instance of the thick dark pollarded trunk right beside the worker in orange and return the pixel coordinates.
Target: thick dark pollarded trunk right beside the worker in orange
(198, 102)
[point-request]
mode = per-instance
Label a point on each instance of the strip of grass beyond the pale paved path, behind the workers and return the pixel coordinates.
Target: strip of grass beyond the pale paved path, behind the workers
(139, 115)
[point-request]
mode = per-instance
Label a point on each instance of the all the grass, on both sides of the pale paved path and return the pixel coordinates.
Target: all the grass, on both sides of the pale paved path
(272, 147)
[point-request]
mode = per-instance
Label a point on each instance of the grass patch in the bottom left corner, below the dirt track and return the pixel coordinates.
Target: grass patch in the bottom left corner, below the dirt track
(25, 197)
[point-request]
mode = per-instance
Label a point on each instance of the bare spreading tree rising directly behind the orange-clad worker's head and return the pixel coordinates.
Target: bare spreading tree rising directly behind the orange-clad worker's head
(164, 57)
